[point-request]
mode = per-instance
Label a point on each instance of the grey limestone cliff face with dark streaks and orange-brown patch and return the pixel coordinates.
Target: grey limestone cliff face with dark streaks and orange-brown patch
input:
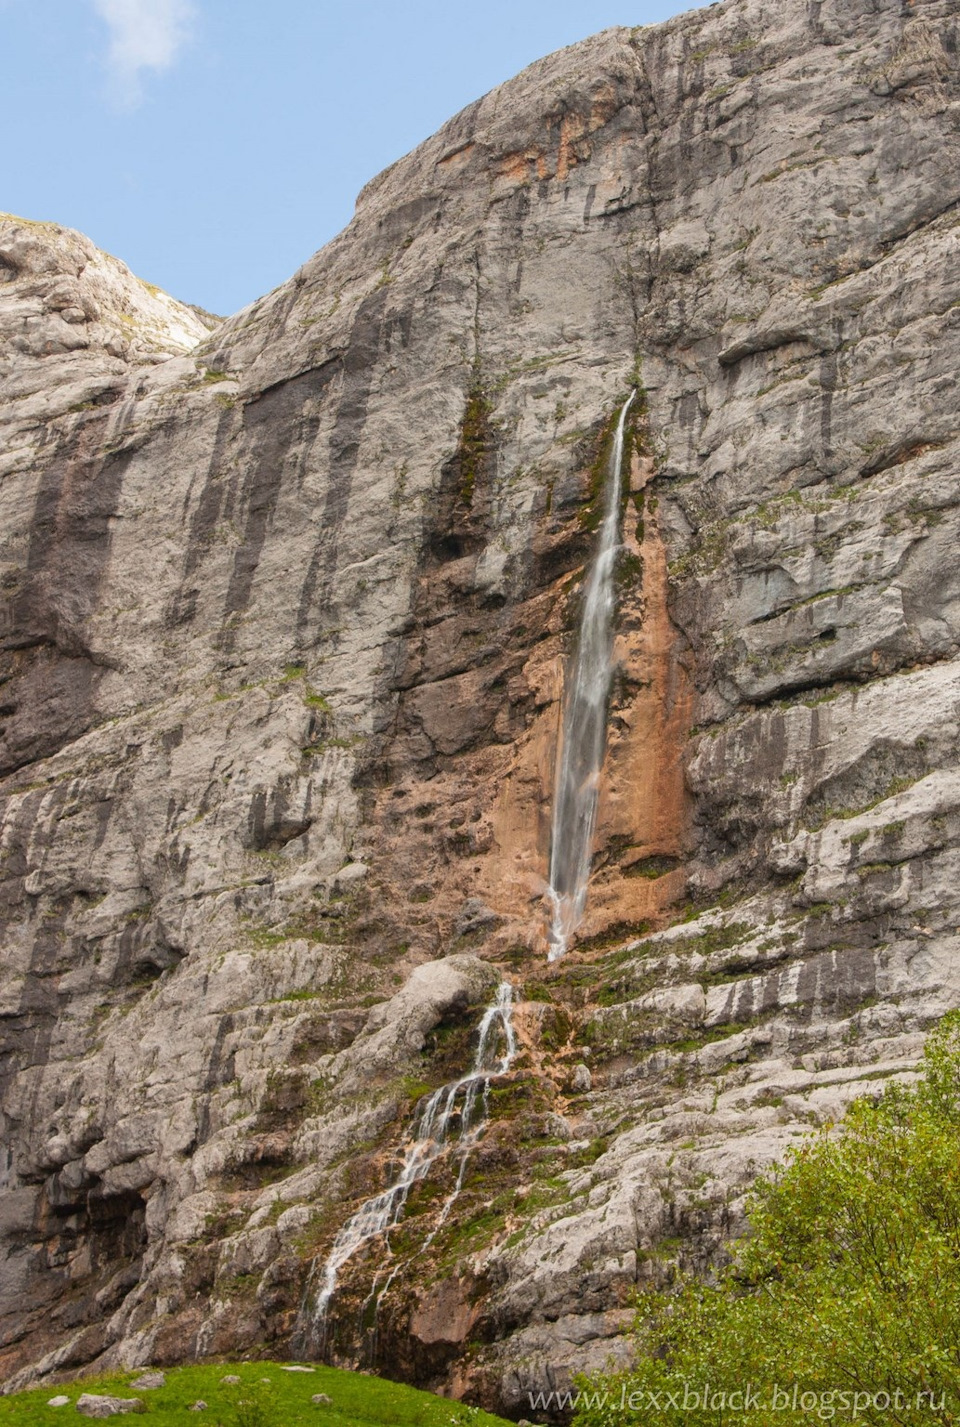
(286, 606)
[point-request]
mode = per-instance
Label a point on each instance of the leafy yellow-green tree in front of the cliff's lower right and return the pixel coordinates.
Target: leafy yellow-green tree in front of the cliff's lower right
(844, 1301)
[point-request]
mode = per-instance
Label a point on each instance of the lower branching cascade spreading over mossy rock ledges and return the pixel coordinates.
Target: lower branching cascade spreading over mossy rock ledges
(451, 1118)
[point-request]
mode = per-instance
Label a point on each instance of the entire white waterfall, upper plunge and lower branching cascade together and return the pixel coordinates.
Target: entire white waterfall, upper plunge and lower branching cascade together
(454, 1117)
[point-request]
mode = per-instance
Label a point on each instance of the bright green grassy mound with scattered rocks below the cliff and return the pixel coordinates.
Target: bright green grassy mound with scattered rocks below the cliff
(357, 1401)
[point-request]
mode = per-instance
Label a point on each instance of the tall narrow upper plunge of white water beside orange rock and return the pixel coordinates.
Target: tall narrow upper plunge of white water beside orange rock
(584, 733)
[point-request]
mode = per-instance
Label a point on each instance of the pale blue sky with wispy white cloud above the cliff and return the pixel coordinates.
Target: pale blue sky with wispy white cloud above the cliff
(215, 145)
